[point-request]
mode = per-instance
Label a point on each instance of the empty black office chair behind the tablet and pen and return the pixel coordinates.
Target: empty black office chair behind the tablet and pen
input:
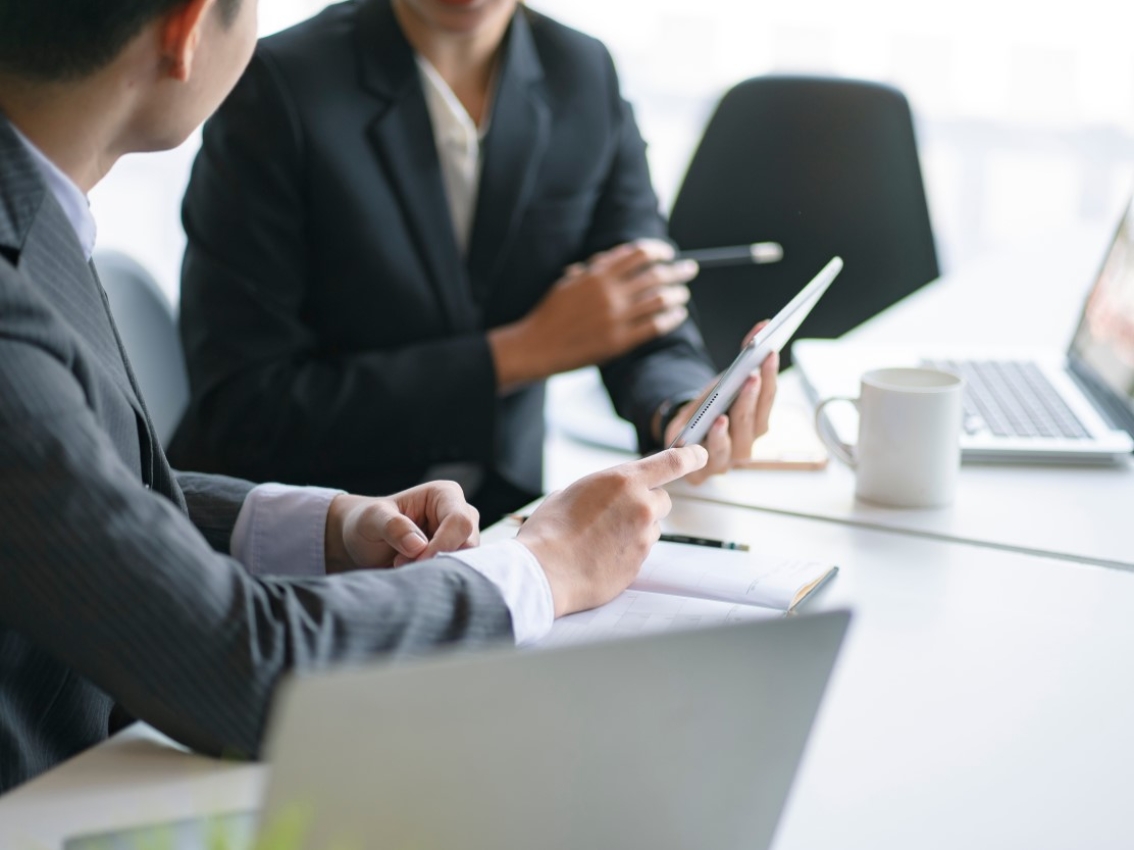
(824, 167)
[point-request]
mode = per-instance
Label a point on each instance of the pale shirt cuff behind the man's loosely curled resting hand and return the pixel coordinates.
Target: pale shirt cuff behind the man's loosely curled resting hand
(282, 531)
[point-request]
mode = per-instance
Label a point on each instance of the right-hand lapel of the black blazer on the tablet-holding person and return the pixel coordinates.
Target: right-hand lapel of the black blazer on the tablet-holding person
(512, 157)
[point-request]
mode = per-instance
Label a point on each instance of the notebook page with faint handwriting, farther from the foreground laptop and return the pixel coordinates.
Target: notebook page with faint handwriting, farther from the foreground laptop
(750, 579)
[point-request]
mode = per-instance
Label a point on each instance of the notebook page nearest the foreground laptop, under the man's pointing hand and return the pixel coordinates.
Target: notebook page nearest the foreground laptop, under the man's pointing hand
(637, 613)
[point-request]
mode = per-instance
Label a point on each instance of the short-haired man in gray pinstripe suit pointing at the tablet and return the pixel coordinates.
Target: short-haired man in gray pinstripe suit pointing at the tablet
(128, 589)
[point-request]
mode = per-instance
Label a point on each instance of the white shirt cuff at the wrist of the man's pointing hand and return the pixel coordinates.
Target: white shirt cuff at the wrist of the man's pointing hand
(512, 567)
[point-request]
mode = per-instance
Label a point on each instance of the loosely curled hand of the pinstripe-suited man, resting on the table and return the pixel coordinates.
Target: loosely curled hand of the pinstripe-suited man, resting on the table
(393, 531)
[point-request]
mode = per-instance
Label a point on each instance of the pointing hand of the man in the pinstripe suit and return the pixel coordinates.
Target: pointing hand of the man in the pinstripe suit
(593, 538)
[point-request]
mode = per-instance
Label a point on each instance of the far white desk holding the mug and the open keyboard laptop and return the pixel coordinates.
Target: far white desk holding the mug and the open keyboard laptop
(1074, 513)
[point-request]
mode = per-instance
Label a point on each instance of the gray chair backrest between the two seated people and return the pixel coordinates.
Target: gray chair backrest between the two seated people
(148, 326)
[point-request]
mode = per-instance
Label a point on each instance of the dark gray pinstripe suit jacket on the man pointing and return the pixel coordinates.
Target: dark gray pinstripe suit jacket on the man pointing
(115, 586)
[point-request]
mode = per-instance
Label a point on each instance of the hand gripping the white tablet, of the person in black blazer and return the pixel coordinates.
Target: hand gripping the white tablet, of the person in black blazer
(731, 438)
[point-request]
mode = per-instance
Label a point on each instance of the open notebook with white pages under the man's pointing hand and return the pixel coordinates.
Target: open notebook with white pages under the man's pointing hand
(684, 586)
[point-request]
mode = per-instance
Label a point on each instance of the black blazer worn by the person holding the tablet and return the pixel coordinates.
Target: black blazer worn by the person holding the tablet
(334, 333)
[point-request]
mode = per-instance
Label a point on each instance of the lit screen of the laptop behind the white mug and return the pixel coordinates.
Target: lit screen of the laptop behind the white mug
(1105, 339)
